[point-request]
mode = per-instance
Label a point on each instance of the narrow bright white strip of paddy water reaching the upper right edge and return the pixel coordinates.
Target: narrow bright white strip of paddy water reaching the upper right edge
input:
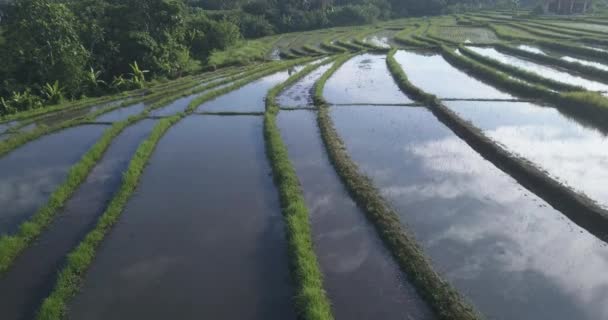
(541, 70)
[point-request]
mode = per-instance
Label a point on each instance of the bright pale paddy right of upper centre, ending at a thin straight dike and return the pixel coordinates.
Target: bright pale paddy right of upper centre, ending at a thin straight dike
(434, 75)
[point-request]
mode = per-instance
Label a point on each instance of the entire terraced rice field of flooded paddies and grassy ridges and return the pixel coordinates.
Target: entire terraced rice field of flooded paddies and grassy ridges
(393, 171)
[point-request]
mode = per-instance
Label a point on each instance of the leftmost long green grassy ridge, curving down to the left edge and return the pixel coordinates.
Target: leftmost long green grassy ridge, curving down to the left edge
(12, 245)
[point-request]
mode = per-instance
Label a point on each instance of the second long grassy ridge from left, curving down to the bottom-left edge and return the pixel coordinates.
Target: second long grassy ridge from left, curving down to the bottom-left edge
(79, 260)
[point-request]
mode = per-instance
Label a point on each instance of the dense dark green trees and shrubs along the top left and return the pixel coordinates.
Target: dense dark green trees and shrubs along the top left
(52, 49)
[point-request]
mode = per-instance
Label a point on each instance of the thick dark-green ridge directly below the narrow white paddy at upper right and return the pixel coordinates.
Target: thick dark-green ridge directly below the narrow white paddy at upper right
(591, 107)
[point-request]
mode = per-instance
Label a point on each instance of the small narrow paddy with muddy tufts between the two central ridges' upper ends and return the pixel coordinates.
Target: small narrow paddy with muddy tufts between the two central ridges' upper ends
(299, 95)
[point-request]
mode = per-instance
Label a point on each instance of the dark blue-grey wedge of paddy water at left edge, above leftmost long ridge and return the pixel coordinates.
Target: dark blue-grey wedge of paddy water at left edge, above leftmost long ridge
(29, 174)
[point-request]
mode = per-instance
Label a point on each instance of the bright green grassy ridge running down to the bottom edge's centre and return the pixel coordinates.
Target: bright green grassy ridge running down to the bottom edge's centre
(311, 299)
